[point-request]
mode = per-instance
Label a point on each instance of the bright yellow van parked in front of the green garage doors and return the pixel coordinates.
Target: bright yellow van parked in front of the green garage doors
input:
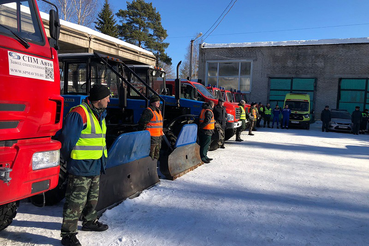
(299, 103)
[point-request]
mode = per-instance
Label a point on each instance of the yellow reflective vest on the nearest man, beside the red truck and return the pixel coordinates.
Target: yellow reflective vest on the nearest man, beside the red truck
(91, 144)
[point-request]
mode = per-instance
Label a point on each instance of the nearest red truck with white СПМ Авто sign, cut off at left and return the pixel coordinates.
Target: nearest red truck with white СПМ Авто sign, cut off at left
(31, 107)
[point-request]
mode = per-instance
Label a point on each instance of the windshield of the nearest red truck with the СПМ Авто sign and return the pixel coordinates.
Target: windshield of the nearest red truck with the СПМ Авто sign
(20, 17)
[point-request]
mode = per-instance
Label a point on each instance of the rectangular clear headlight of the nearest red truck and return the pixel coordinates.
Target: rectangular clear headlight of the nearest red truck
(41, 160)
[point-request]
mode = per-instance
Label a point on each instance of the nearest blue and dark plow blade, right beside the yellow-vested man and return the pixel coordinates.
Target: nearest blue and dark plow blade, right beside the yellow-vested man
(129, 170)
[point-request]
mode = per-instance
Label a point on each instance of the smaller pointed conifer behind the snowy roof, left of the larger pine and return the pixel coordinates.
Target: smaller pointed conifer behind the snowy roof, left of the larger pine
(105, 21)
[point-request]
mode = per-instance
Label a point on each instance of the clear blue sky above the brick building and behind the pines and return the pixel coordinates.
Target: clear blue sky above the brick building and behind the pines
(258, 20)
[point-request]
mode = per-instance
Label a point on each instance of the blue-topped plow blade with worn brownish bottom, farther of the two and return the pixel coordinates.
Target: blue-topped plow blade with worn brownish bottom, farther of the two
(185, 156)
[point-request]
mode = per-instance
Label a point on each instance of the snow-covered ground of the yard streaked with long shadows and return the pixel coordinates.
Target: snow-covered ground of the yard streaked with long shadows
(279, 187)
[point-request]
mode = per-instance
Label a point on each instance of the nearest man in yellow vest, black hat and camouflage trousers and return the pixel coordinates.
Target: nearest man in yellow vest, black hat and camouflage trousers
(84, 149)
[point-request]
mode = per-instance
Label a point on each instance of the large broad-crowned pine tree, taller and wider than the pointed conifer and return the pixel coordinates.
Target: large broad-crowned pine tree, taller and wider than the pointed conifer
(141, 25)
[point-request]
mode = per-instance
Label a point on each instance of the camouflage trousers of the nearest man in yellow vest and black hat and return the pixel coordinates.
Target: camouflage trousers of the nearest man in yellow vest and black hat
(80, 201)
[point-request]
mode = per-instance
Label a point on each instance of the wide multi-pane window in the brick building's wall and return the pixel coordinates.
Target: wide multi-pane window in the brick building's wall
(229, 74)
